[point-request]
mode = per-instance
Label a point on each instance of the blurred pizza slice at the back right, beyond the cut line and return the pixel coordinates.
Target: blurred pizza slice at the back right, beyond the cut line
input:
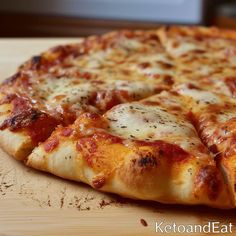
(204, 56)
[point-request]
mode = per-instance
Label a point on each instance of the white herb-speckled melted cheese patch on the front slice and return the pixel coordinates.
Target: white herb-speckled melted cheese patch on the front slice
(150, 123)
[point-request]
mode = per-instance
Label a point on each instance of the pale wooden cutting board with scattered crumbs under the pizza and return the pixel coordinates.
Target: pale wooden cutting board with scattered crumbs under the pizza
(35, 203)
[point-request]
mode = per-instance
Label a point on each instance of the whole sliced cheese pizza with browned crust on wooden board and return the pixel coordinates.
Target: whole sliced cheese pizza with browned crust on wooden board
(148, 115)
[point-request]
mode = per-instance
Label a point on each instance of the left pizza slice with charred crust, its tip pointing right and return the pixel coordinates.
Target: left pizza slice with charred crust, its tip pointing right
(29, 115)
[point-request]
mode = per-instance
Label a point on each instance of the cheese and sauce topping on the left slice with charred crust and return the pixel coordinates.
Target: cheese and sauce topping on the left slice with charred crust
(79, 95)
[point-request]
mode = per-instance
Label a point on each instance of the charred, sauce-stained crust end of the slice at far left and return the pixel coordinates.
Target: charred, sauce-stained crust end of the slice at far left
(22, 126)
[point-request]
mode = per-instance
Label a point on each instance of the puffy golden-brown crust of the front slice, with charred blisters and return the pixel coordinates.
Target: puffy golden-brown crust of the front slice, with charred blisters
(136, 170)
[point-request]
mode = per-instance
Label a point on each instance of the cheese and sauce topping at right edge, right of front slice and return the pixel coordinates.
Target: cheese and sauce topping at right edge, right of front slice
(214, 119)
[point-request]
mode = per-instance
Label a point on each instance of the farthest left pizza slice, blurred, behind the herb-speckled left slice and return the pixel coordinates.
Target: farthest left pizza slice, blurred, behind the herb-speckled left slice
(123, 55)
